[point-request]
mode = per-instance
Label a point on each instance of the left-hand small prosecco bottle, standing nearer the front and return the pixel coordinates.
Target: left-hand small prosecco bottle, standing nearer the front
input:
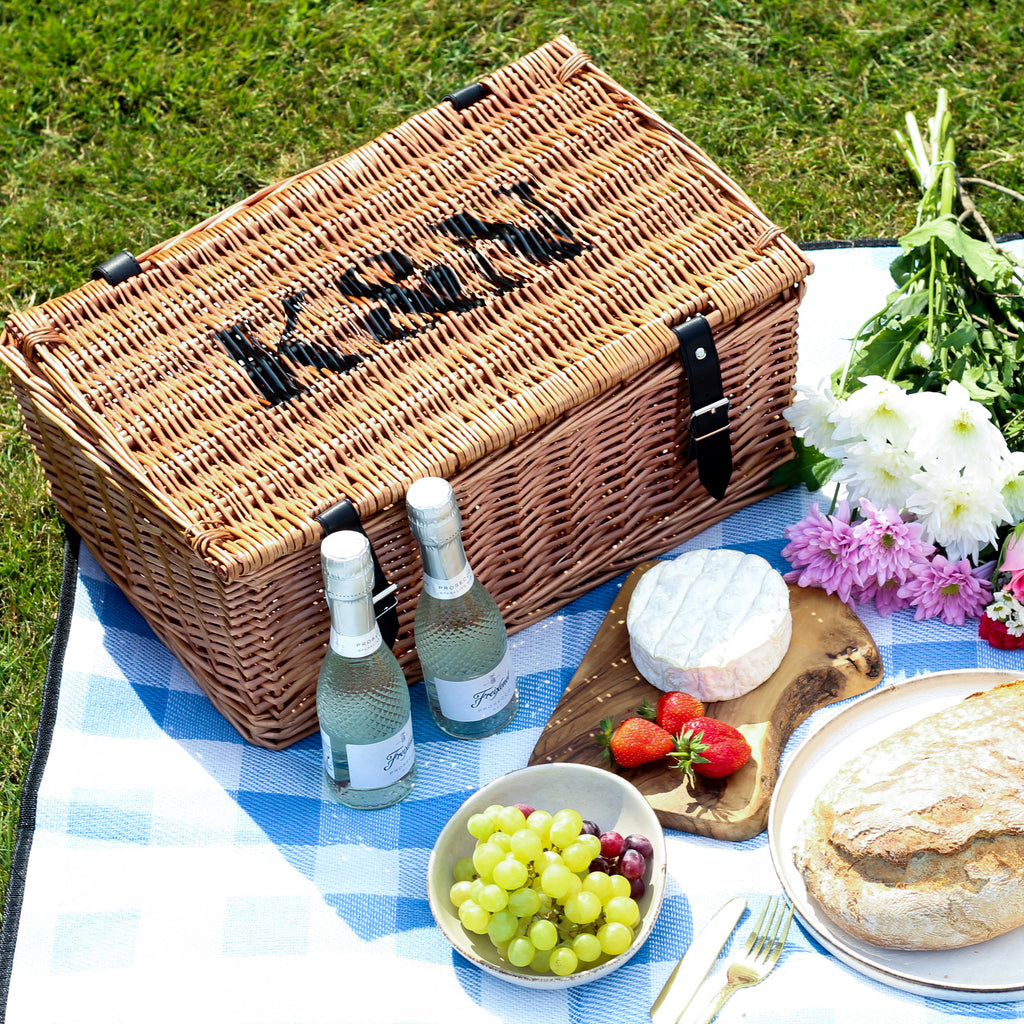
(362, 694)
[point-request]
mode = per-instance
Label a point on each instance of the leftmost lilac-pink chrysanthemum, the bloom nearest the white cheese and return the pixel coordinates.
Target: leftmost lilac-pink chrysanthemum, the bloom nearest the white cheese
(821, 548)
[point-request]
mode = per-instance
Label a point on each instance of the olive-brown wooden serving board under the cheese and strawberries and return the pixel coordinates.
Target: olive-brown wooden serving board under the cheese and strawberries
(832, 657)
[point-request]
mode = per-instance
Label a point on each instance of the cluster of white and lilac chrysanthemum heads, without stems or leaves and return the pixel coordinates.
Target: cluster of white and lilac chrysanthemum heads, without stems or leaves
(934, 482)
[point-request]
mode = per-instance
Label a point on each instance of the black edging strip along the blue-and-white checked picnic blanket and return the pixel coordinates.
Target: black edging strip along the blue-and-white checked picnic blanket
(52, 692)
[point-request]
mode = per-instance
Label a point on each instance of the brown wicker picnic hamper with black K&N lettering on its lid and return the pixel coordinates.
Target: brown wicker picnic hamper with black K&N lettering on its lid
(494, 292)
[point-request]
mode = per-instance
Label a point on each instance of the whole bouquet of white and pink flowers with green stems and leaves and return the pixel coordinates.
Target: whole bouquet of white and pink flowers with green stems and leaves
(924, 426)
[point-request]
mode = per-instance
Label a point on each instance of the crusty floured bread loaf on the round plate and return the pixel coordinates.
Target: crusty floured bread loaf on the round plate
(918, 843)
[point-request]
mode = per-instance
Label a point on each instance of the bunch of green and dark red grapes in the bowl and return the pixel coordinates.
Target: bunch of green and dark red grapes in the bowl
(551, 891)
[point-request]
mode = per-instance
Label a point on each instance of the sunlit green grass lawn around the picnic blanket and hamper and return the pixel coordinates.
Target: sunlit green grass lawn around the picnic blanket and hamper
(126, 121)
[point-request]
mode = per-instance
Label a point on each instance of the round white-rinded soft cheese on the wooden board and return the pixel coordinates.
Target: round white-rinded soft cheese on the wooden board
(712, 623)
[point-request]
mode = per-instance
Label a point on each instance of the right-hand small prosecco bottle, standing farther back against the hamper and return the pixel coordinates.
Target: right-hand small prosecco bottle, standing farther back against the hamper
(460, 635)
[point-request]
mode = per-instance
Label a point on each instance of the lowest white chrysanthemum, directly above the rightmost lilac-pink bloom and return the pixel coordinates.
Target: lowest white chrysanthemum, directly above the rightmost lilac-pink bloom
(959, 513)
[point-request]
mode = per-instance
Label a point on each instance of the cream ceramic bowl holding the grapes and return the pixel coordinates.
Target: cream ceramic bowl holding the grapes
(599, 795)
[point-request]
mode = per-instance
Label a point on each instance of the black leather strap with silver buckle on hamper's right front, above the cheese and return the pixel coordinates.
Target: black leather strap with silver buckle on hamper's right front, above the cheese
(709, 430)
